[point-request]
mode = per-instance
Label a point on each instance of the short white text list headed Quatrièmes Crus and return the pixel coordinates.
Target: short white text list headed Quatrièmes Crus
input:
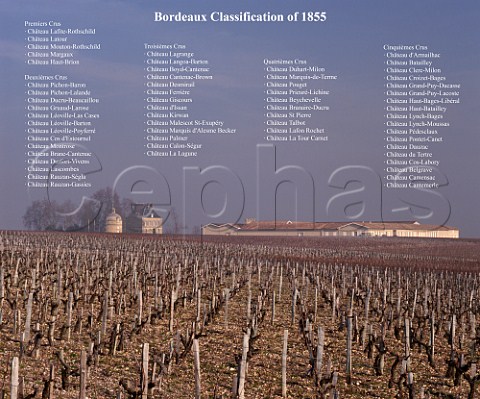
(293, 97)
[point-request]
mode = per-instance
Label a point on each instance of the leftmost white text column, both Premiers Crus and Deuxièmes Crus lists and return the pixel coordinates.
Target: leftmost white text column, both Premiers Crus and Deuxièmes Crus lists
(60, 112)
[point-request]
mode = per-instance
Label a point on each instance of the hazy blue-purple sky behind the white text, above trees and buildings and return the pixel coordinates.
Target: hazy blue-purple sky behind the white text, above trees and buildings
(335, 180)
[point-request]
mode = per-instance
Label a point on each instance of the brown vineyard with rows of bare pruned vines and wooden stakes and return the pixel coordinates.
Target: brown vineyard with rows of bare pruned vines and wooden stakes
(117, 316)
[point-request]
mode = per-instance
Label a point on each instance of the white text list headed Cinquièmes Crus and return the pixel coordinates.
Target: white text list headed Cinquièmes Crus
(418, 95)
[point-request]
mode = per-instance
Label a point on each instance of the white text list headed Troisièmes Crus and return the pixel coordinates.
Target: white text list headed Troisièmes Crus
(173, 72)
